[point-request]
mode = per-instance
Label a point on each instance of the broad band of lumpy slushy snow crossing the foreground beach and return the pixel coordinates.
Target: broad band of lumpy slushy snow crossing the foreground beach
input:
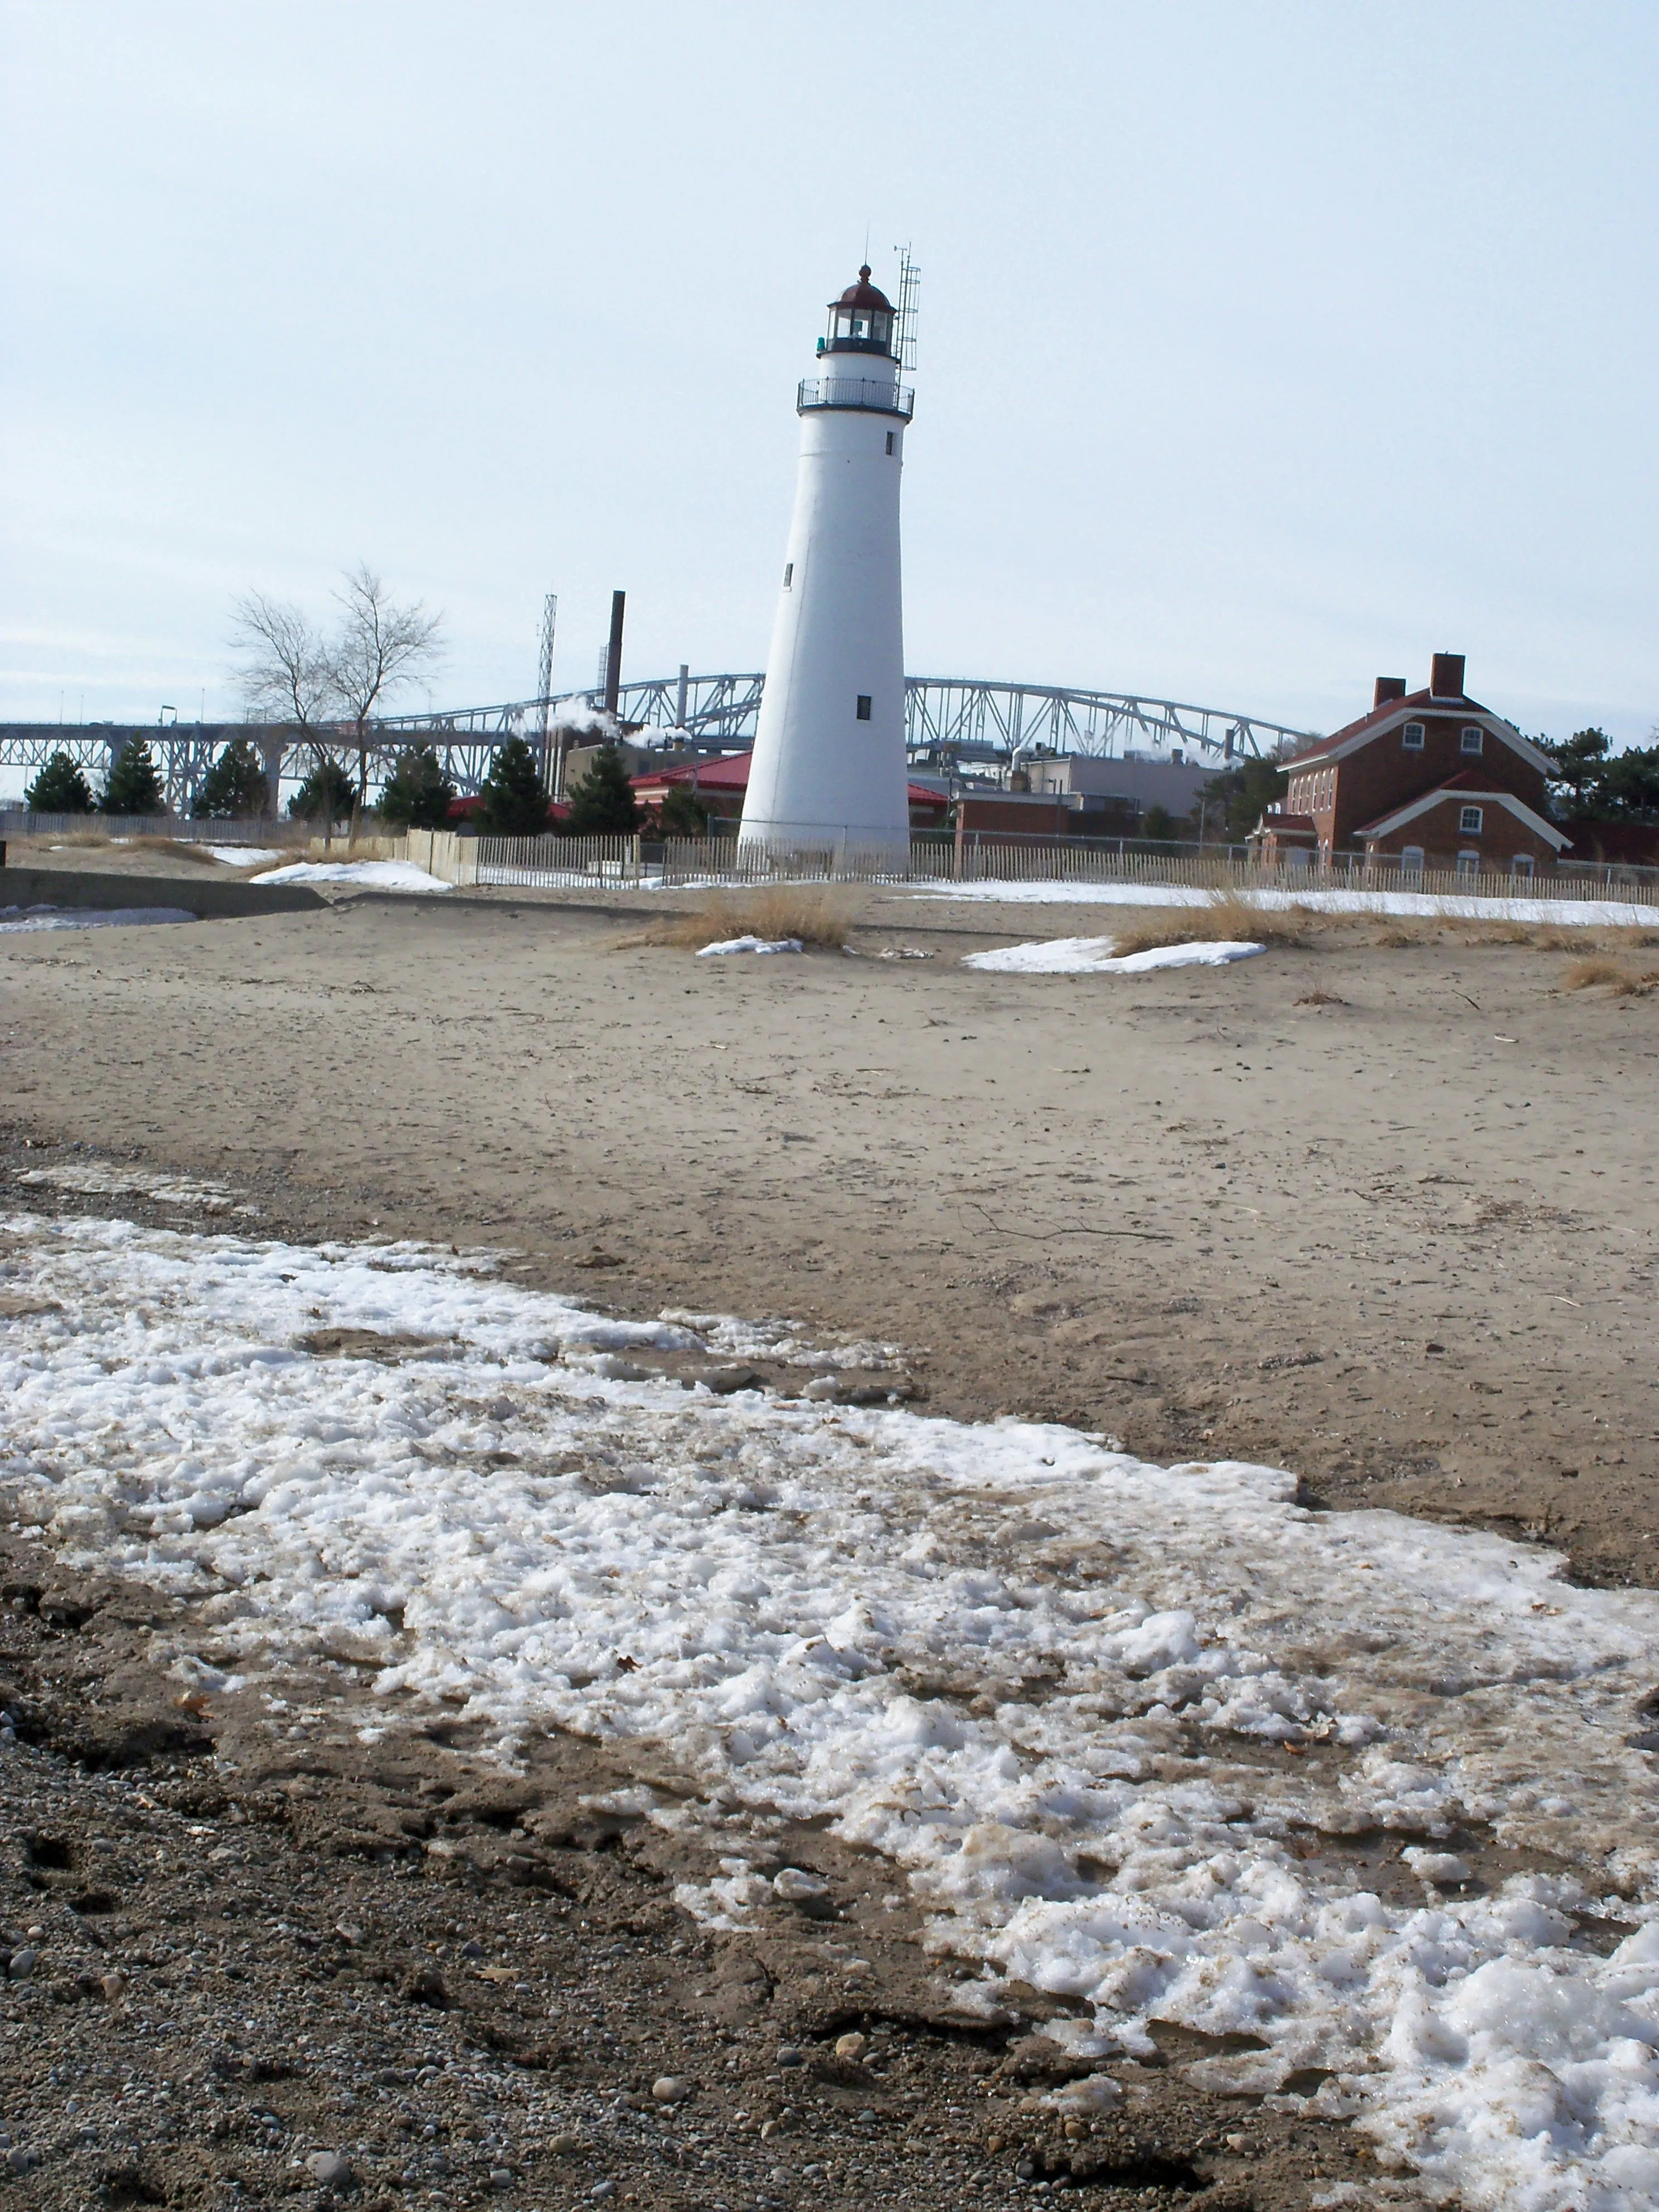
(1052, 1684)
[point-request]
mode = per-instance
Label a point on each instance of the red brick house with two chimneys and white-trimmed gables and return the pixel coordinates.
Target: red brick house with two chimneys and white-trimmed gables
(1428, 780)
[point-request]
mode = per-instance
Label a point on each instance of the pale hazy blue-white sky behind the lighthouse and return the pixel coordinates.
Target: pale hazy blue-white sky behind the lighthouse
(1262, 348)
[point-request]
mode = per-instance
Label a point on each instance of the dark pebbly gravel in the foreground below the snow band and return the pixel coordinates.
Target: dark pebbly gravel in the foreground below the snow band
(242, 1972)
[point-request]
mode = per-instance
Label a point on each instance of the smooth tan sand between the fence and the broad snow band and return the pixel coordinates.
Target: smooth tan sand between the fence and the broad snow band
(1379, 1213)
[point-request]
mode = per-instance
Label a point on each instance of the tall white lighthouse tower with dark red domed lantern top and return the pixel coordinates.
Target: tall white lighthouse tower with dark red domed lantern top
(831, 742)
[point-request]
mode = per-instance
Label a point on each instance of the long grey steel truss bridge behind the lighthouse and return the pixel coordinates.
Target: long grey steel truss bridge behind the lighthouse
(948, 720)
